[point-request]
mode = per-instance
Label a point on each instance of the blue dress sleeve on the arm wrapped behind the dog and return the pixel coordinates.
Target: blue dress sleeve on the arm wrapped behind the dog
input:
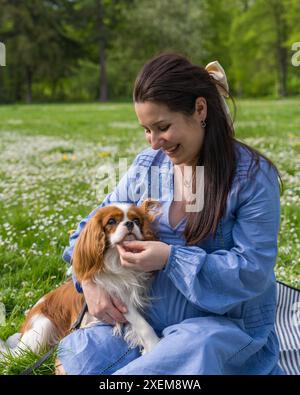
(124, 192)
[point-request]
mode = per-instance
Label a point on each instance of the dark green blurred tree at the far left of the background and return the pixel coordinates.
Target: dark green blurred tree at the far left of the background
(38, 45)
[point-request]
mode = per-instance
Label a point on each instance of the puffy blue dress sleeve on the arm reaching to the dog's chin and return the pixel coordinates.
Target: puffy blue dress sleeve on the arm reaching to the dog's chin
(219, 281)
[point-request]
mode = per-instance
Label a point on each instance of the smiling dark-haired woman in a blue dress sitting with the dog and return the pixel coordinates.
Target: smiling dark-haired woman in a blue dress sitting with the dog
(214, 290)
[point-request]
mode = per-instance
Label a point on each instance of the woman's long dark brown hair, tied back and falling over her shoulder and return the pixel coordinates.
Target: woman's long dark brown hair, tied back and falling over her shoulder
(172, 80)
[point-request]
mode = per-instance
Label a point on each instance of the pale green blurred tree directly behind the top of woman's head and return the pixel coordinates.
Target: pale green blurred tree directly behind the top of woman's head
(149, 28)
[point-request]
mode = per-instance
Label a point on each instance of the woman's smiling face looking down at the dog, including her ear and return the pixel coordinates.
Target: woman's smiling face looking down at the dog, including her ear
(179, 136)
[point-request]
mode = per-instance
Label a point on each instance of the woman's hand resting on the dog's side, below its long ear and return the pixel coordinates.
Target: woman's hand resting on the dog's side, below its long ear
(101, 305)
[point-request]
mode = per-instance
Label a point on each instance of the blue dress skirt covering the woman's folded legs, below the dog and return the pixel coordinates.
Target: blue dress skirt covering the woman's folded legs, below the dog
(202, 345)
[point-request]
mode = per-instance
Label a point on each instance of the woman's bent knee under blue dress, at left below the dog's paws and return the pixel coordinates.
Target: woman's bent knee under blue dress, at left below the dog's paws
(94, 351)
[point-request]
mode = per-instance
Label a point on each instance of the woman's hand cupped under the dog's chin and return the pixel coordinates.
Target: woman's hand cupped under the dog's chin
(144, 256)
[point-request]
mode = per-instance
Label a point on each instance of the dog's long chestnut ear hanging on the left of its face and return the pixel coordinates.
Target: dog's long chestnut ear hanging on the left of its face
(89, 249)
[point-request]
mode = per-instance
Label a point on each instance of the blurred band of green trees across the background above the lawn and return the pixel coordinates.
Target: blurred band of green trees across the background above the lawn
(91, 50)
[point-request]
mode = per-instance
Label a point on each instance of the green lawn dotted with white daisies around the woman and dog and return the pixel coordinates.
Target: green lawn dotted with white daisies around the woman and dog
(53, 158)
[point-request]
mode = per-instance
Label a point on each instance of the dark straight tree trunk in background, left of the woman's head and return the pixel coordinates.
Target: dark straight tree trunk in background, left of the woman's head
(103, 94)
